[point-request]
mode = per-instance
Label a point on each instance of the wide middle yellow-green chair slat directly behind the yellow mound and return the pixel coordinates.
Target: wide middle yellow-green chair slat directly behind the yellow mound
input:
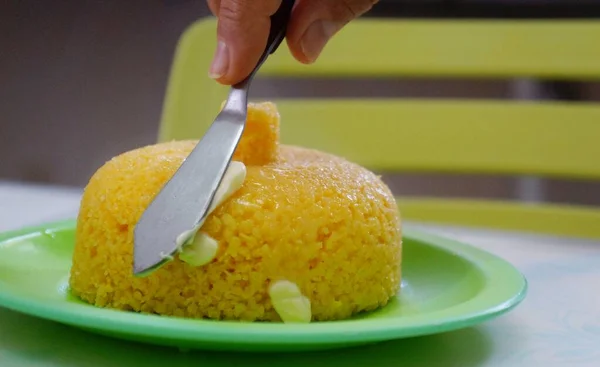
(557, 140)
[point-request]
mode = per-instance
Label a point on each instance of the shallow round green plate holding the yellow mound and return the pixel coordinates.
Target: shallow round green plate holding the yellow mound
(446, 285)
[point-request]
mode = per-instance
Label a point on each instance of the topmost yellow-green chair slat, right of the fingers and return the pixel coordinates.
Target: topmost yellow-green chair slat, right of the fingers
(544, 49)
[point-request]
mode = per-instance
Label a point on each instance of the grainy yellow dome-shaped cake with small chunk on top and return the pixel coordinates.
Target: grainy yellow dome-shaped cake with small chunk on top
(304, 216)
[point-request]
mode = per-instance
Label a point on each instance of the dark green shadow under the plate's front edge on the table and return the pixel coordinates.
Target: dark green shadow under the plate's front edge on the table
(27, 341)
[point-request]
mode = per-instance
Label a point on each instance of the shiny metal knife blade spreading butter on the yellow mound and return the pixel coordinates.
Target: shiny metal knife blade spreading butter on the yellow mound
(184, 200)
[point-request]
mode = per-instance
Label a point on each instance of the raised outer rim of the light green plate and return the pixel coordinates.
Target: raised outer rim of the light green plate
(496, 298)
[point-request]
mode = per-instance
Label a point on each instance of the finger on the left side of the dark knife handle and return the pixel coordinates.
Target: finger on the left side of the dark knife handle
(242, 32)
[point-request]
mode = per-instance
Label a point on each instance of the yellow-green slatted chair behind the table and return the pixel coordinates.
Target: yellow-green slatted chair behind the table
(505, 137)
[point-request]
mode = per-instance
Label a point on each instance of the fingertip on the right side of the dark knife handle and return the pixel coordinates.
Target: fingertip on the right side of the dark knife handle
(314, 22)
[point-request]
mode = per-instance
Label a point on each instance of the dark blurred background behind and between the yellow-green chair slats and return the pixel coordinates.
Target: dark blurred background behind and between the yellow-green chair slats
(82, 81)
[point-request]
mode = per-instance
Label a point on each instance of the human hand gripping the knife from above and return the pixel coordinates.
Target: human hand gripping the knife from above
(243, 29)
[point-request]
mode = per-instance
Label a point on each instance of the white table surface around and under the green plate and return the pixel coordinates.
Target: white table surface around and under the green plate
(558, 324)
